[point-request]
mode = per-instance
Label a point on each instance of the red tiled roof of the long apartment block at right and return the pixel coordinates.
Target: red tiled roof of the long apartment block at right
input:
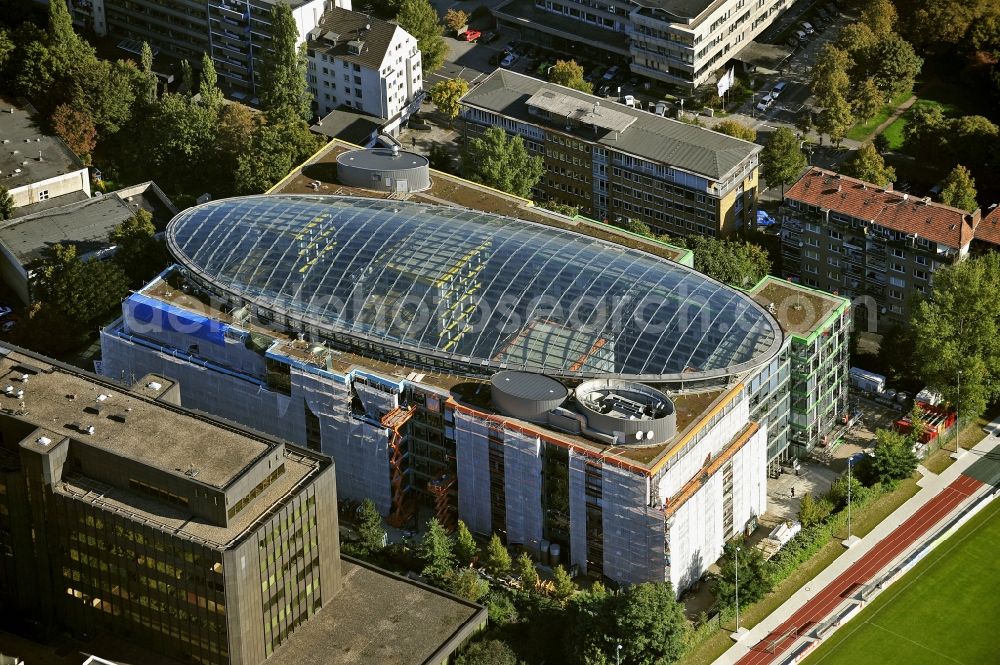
(893, 210)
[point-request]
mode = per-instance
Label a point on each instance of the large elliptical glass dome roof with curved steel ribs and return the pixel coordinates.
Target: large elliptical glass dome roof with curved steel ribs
(467, 291)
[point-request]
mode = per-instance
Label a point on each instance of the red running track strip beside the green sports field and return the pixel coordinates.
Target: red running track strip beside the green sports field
(863, 571)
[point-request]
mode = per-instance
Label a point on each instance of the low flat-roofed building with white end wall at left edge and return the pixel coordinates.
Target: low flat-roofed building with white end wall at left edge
(36, 169)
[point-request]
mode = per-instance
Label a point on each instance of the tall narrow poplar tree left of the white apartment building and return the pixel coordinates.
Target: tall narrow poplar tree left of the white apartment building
(284, 93)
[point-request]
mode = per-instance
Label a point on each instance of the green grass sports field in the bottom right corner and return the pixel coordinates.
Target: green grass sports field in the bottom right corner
(945, 610)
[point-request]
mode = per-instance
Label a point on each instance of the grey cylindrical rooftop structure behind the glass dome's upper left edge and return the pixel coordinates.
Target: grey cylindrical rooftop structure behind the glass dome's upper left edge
(384, 170)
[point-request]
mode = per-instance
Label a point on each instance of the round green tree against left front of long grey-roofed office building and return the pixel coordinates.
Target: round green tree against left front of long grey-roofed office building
(503, 162)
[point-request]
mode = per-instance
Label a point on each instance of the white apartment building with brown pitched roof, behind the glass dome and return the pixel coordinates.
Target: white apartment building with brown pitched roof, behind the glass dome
(366, 64)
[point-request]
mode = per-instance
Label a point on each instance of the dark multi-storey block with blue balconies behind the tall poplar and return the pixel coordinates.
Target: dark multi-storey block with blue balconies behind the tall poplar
(235, 33)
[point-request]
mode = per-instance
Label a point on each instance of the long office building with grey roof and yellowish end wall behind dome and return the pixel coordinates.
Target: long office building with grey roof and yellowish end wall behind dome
(617, 162)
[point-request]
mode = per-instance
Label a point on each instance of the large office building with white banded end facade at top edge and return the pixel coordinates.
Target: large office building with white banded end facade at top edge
(682, 42)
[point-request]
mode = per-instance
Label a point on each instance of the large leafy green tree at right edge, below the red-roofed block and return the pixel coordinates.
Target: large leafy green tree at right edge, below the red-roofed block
(958, 329)
